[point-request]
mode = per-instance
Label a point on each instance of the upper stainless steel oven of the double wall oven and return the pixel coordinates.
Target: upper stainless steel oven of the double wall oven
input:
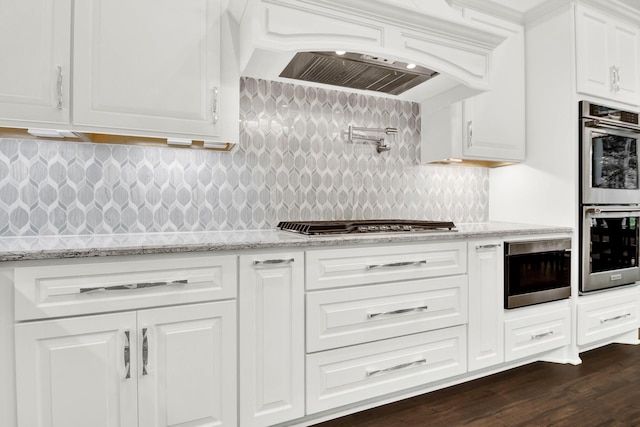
(609, 152)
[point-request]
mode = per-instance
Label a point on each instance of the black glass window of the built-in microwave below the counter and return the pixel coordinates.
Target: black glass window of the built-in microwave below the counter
(535, 272)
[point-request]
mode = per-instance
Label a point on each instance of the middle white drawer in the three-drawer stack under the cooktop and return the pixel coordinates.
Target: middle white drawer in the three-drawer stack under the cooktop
(342, 317)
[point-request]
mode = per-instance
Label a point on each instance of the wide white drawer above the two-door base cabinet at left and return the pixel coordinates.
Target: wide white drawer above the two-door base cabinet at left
(81, 286)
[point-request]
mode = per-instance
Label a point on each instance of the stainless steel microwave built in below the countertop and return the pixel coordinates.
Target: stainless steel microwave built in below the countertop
(536, 271)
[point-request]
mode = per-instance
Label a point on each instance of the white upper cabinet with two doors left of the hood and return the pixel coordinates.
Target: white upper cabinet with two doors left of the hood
(144, 68)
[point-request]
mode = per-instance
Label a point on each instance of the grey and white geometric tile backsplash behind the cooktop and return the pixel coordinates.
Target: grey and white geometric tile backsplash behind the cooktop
(293, 162)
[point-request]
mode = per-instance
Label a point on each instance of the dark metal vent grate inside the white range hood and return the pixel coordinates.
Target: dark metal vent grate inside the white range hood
(355, 71)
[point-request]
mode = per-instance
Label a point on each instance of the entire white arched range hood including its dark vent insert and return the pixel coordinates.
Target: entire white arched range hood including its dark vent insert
(417, 50)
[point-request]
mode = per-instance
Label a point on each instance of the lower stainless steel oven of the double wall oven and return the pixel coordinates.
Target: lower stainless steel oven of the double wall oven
(609, 246)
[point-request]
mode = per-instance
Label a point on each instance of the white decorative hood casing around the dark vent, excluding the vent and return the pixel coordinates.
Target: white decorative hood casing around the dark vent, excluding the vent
(429, 34)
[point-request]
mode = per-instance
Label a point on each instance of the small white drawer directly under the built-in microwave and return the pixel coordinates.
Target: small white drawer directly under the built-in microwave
(537, 333)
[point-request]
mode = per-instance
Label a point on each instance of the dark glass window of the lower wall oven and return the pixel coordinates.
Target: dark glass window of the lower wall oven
(614, 243)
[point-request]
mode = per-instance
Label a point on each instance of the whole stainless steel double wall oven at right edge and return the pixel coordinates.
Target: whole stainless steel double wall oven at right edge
(609, 197)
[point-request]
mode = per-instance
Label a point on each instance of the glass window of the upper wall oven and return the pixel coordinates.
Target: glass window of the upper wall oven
(614, 162)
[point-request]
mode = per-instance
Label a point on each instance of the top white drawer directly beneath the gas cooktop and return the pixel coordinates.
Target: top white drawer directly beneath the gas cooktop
(348, 267)
